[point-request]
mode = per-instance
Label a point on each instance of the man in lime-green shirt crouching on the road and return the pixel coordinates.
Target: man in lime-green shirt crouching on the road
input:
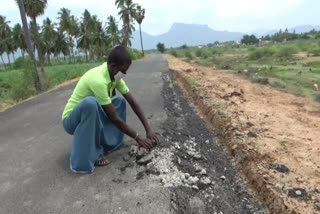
(96, 120)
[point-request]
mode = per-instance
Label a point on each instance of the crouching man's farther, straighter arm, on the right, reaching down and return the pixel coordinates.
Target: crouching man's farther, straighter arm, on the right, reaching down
(138, 111)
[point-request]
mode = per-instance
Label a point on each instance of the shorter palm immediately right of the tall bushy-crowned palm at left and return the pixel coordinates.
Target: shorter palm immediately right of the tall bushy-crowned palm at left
(48, 37)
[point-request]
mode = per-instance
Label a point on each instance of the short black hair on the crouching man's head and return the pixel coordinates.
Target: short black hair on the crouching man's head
(119, 56)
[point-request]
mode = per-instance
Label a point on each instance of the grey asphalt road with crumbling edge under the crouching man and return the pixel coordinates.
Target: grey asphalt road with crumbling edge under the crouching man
(34, 157)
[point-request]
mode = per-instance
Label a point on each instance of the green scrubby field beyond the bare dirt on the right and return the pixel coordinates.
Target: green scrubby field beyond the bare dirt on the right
(290, 66)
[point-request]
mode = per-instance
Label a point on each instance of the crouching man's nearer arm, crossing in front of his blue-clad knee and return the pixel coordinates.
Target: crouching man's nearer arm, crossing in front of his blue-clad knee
(114, 118)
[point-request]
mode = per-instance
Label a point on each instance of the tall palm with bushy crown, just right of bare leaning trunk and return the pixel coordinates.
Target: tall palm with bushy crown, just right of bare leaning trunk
(35, 8)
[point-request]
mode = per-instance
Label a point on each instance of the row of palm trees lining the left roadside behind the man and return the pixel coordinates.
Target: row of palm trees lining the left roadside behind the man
(70, 38)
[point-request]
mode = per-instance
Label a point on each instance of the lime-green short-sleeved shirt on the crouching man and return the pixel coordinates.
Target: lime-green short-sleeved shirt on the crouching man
(95, 82)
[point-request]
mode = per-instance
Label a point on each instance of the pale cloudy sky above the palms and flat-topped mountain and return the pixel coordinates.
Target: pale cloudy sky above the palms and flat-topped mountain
(231, 15)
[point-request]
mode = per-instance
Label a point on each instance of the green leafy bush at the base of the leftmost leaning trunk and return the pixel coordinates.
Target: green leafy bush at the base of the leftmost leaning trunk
(22, 82)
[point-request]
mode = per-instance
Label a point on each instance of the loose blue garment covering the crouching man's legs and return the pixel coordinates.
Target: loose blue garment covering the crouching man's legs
(93, 133)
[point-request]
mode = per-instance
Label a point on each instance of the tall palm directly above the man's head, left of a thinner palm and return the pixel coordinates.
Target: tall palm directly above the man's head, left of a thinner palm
(127, 14)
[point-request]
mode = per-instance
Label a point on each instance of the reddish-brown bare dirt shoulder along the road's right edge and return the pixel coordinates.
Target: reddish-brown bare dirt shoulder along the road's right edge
(274, 136)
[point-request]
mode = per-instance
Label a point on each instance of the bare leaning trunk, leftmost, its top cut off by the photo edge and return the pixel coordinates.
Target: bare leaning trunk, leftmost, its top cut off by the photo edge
(35, 75)
